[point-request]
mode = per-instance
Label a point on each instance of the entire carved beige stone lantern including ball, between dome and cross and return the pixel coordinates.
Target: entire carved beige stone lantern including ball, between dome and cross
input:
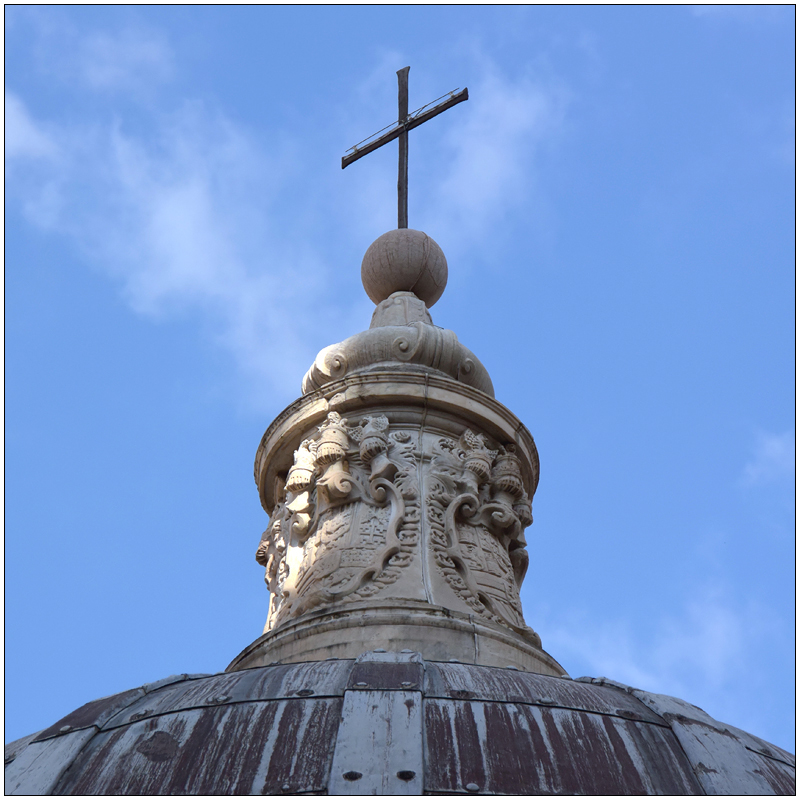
(398, 492)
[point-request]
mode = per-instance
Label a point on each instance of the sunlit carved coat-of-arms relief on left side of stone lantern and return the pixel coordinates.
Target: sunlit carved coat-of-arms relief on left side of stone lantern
(348, 521)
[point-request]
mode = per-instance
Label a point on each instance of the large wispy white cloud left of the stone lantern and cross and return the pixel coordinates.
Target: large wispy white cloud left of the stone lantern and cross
(182, 222)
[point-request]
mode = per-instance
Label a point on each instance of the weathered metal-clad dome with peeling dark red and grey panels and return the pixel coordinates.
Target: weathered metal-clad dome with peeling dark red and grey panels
(391, 723)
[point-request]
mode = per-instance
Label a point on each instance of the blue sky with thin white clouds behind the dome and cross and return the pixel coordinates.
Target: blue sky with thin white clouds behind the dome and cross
(616, 203)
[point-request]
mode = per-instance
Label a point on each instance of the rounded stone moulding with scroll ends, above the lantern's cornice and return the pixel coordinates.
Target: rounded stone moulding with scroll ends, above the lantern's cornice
(417, 343)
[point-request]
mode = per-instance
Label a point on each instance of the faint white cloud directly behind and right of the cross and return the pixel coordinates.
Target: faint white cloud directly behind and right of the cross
(478, 172)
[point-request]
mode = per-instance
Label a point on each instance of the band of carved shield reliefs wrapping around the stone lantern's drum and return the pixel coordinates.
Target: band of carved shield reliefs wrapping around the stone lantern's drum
(348, 523)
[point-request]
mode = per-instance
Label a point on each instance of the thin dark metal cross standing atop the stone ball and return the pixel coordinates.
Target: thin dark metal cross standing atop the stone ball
(399, 130)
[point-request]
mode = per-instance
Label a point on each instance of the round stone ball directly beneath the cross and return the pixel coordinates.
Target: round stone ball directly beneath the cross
(404, 260)
